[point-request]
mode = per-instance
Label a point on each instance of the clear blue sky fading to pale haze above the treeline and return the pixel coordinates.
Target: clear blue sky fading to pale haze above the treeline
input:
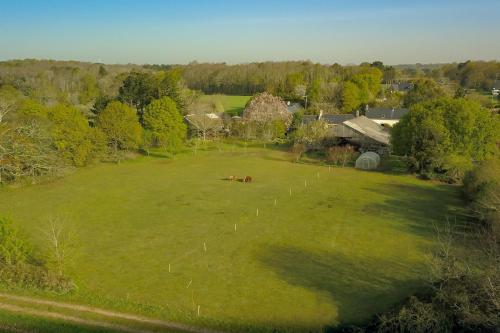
(235, 31)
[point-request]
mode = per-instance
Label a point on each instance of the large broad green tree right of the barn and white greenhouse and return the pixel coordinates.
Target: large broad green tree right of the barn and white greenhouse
(446, 136)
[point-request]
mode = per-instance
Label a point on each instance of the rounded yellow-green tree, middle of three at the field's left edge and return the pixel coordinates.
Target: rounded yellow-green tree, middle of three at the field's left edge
(120, 126)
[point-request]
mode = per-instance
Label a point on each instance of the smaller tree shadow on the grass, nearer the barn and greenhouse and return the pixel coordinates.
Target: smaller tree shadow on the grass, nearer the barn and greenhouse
(423, 208)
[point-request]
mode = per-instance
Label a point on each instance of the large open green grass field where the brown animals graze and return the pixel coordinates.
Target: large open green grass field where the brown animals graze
(299, 248)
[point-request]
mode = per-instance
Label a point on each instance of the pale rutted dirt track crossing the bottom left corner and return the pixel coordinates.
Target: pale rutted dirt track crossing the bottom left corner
(94, 310)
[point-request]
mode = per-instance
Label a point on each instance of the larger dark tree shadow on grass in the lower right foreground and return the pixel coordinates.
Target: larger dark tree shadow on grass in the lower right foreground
(358, 286)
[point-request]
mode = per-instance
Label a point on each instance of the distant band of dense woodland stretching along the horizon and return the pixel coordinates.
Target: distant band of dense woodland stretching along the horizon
(332, 88)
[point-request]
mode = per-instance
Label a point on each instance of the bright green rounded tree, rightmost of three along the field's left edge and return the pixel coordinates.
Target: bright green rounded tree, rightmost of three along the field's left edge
(166, 124)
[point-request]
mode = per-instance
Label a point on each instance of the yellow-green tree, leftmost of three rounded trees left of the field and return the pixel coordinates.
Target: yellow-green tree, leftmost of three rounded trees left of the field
(71, 134)
